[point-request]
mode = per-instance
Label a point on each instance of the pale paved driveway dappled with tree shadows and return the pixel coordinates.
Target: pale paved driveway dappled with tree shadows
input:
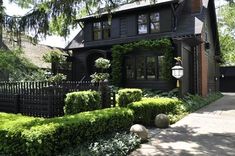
(209, 131)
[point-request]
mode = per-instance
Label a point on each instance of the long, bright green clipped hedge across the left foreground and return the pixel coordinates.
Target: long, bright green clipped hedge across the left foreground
(36, 136)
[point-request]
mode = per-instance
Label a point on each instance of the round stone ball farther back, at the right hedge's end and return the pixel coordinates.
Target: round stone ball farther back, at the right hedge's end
(162, 121)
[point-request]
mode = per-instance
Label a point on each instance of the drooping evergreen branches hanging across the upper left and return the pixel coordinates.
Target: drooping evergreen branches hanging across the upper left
(56, 16)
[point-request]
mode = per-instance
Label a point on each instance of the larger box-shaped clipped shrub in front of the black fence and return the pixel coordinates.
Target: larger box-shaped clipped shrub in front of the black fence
(77, 102)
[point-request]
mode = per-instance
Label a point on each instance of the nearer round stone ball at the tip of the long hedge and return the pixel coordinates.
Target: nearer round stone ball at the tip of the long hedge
(141, 131)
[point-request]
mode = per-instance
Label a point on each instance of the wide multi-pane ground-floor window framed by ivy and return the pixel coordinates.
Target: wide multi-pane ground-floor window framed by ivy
(144, 67)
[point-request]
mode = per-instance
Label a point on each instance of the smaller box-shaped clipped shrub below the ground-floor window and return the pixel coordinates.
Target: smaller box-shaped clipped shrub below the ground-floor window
(127, 96)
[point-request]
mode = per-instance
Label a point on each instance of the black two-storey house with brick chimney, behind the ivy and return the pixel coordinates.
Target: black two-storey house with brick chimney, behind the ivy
(189, 24)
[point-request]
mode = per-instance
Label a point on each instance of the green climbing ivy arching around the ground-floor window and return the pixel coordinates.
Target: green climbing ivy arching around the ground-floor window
(118, 51)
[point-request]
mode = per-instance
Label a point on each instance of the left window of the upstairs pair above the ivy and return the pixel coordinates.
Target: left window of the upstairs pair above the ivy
(143, 24)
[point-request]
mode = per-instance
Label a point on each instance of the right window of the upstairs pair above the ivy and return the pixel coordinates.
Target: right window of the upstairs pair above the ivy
(155, 22)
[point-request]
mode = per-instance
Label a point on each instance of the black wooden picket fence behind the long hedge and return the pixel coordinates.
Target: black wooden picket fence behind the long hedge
(45, 99)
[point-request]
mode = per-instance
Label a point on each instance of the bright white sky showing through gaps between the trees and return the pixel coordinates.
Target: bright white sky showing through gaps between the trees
(56, 41)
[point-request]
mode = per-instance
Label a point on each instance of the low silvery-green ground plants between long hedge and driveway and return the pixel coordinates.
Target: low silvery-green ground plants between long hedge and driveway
(117, 144)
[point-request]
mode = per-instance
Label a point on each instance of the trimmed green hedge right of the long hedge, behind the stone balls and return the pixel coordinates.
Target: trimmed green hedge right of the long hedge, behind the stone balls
(146, 110)
